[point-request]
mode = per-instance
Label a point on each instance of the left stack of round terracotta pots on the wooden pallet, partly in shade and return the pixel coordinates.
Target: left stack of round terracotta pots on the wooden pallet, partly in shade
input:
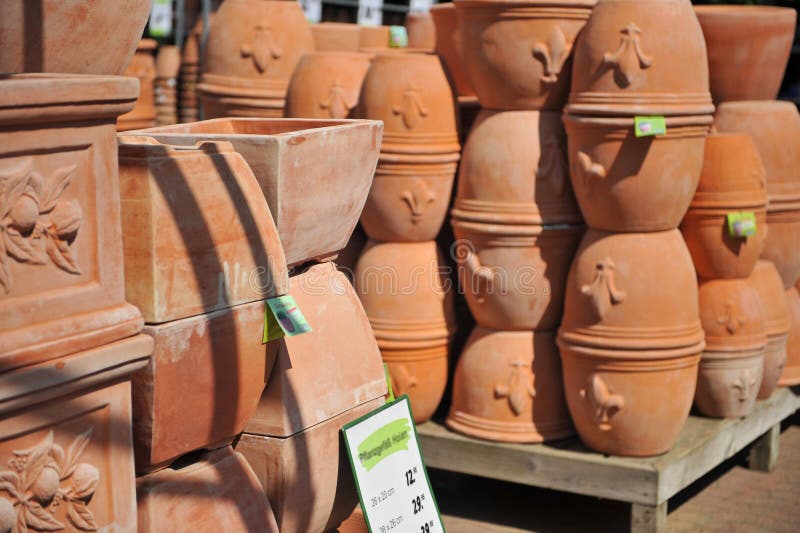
(515, 220)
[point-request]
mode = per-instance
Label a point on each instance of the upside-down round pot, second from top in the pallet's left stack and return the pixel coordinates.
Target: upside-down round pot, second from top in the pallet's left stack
(503, 151)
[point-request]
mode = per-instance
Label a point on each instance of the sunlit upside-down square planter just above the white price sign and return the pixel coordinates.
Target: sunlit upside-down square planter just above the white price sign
(321, 374)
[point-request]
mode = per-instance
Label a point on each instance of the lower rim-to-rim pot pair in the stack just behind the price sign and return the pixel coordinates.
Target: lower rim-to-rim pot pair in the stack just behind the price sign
(408, 300)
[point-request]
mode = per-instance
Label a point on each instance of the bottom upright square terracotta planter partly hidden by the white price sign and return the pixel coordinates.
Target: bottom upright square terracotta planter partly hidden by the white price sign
(307, 477)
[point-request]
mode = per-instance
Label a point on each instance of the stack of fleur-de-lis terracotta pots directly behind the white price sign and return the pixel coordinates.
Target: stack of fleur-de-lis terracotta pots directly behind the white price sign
(399, 275)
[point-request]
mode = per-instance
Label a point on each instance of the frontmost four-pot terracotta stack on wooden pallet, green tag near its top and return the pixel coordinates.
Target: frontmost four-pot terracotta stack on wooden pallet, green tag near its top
(631, 336)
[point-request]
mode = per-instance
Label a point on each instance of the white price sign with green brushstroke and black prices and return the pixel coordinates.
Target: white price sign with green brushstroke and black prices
(390, 474)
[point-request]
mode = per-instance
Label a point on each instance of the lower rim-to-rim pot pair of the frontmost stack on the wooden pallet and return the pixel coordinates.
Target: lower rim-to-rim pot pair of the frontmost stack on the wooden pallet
(630, 341)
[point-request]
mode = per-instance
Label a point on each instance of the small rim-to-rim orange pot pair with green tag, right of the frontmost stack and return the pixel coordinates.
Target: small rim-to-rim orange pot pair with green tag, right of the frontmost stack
(732, 180)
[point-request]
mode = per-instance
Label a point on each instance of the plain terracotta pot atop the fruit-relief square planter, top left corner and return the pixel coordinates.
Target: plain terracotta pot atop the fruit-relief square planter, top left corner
(70, 36)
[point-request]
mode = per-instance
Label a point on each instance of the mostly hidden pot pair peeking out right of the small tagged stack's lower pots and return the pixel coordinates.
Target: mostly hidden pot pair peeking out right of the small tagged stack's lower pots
(767, 282)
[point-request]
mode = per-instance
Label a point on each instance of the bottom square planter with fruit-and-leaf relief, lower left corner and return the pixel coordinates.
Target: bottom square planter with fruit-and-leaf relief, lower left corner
(66, 460)
